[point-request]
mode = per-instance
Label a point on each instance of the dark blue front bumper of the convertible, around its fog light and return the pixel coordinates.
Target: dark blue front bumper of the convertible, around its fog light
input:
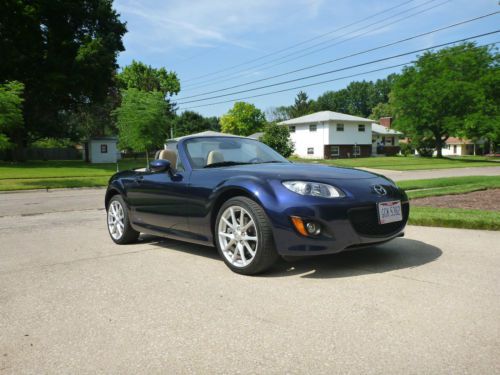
(346, 224)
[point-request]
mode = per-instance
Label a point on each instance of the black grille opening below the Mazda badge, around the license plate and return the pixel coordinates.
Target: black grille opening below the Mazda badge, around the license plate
(365, 221)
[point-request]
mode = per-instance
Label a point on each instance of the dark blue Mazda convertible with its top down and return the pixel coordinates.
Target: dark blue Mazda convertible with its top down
(252, 204)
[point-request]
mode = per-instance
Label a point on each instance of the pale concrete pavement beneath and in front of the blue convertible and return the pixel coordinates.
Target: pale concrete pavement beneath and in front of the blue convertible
(73, 302)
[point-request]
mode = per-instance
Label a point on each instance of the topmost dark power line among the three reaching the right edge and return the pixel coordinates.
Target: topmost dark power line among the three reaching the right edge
(343, 57)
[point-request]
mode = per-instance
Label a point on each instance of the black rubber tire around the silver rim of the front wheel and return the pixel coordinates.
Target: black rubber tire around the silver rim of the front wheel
(265, 251)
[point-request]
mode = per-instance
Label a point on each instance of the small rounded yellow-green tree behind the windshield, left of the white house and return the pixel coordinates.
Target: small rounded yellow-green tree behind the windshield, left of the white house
(243, 119)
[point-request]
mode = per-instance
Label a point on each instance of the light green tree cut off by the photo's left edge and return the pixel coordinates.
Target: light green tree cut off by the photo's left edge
(11, 114)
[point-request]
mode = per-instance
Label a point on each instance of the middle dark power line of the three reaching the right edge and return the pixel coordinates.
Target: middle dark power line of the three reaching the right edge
(340, 69)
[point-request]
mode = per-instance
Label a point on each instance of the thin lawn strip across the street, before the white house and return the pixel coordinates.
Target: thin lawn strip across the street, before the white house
(401, 163)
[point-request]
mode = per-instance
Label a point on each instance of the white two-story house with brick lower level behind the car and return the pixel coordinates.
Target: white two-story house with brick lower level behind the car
(327, 135)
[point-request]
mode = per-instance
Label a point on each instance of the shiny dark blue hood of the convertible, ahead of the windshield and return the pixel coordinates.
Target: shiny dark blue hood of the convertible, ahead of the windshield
(303, 171)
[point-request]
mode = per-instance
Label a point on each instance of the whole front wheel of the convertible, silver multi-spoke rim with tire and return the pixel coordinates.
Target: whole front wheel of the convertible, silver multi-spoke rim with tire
(244, 237)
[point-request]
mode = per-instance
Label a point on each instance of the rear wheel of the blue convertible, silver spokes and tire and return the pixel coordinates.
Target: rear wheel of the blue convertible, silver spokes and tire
(118, 222)
